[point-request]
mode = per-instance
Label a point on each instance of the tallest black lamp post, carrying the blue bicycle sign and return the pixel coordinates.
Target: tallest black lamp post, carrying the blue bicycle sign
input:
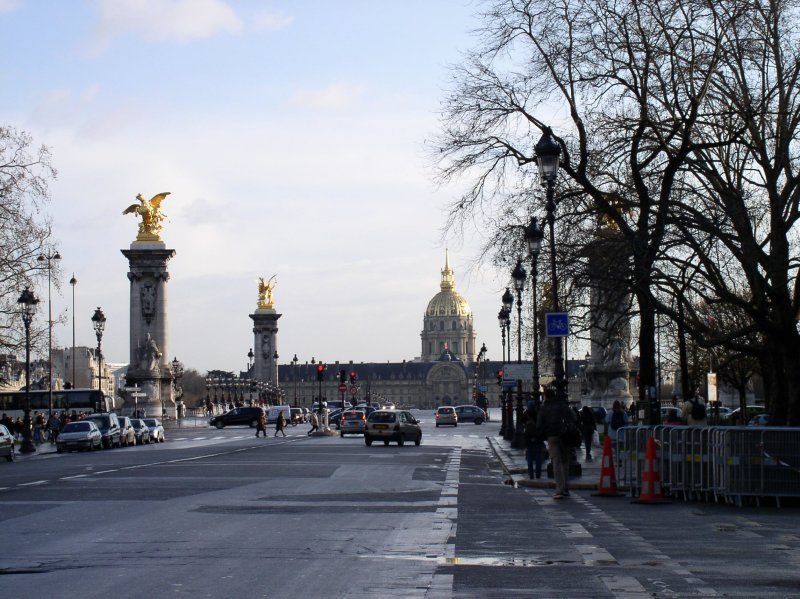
(547, 156)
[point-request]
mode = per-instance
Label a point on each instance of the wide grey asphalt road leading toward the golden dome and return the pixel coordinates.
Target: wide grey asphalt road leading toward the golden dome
(222, 514)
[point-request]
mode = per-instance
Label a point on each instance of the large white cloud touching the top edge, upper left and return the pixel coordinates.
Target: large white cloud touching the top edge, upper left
(180, 21)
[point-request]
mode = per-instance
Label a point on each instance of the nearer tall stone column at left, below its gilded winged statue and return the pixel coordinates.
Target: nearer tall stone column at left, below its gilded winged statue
(149, 332)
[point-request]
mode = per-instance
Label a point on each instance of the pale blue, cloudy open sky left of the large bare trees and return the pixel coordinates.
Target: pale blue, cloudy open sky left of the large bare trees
(292, 137)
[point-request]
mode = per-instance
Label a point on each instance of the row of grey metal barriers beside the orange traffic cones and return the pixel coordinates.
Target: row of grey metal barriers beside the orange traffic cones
(732, 464)
